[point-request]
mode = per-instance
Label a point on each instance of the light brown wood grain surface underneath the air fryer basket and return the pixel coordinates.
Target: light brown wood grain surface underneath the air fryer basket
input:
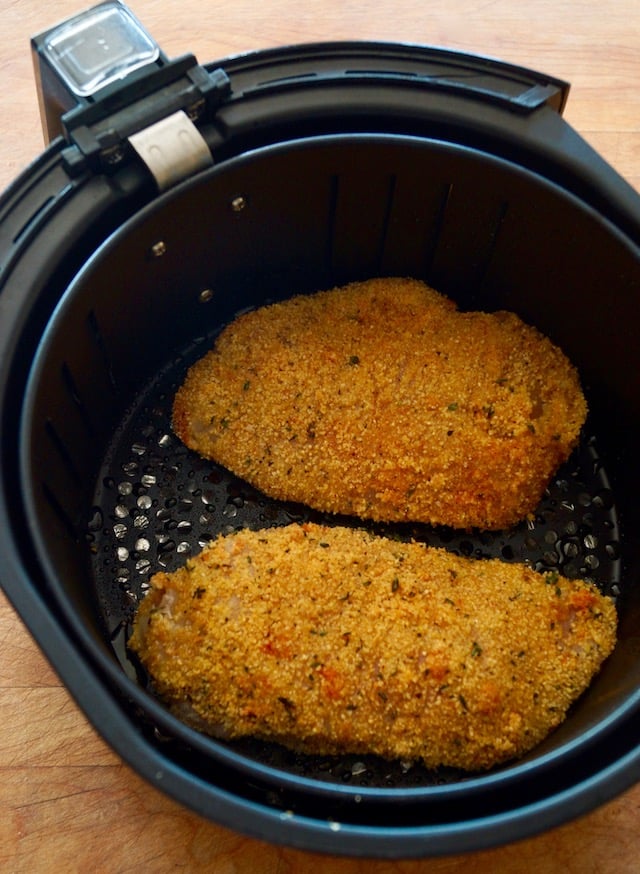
(67, 802)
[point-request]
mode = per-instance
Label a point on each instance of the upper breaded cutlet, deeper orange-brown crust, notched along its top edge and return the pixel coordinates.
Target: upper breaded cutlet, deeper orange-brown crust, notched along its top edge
(381, 400)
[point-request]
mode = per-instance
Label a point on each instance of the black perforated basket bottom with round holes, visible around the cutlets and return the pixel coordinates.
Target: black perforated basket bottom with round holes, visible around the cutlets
(156, 503)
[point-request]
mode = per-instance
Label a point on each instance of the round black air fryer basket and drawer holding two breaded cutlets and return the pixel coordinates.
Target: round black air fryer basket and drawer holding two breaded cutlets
(473, 195)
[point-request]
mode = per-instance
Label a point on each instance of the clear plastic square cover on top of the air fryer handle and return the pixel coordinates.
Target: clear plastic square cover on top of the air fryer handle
(99, 47)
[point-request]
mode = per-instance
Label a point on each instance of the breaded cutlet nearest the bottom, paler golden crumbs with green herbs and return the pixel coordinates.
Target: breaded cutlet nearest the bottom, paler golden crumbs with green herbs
(332, 640)
